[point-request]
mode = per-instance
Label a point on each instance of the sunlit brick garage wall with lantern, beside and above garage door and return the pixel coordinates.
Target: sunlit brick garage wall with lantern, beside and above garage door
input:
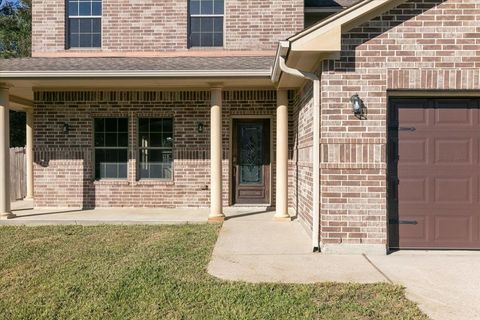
(423, 44)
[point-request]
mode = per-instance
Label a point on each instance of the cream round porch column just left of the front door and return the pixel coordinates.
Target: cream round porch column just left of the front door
(216, 210)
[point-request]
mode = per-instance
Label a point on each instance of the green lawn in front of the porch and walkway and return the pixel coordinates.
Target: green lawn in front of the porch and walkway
(159, 272)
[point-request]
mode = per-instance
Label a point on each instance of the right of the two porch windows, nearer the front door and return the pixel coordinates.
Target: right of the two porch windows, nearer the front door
(155, 140)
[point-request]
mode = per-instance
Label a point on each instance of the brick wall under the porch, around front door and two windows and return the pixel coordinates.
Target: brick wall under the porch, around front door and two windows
(63, 162)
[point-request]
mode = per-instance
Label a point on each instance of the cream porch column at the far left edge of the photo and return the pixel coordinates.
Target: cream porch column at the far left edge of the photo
(5, 211)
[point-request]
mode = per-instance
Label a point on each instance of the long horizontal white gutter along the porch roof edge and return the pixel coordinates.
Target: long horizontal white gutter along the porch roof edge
(135, 74)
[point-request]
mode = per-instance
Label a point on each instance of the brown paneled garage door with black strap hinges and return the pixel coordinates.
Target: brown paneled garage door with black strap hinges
(434, 170)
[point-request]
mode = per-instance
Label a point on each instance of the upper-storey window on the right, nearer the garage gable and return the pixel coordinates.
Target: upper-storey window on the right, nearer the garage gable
(206, 23)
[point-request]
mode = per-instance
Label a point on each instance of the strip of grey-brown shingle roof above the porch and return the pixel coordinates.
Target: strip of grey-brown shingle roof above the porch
(224, 63)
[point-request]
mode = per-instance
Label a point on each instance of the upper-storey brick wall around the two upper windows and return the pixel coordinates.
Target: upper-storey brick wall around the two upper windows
(156, 26)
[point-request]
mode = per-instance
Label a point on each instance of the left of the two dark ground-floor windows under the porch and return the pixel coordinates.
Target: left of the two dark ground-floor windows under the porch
(111, 148)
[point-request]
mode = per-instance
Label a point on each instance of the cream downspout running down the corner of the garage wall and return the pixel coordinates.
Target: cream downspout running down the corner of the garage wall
(316, 144)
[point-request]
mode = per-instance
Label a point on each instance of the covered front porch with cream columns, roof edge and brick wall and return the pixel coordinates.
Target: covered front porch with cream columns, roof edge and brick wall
(62, 103)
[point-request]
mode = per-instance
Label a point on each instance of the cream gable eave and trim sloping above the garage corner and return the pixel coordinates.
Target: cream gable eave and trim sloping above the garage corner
(322, 40)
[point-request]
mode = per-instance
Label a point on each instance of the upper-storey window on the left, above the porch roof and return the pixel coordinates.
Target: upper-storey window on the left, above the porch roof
(84, 23)
